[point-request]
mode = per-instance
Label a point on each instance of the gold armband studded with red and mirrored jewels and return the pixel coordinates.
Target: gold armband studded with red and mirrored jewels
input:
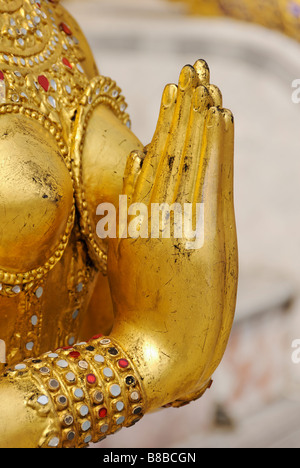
(87, 392)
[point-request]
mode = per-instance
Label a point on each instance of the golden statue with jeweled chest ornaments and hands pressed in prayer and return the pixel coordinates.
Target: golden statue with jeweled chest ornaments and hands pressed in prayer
(134, 323)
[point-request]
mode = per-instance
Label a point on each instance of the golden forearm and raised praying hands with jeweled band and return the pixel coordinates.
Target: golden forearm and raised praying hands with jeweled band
(174, 306)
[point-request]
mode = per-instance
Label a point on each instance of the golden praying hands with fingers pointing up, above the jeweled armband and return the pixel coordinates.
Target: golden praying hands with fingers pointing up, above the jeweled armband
(161, 289)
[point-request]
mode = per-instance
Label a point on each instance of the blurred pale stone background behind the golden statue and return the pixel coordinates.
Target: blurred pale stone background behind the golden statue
(143, 44)
